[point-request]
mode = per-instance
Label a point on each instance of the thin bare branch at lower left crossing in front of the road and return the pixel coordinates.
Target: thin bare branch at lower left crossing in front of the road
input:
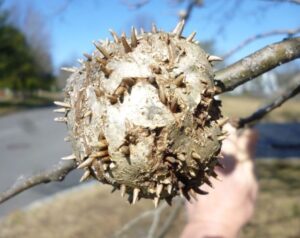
(57, 173)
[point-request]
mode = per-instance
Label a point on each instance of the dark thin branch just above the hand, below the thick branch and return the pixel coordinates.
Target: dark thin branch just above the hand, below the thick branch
(292, 90)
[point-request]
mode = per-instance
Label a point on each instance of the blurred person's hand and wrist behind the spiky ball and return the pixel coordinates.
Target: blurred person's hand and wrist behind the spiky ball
(230, 204)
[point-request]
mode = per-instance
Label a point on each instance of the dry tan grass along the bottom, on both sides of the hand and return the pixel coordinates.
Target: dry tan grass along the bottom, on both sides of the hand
(94, 212)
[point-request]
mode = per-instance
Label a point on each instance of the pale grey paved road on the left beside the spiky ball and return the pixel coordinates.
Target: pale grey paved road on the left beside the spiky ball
(31, 141)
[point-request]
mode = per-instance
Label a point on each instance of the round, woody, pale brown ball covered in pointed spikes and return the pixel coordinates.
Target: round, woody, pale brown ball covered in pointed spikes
(160, 159)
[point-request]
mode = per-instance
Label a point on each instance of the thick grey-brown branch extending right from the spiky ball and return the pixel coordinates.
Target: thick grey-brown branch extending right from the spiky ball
(256, 64)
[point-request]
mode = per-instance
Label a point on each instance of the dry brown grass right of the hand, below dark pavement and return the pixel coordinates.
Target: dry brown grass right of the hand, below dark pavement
(278, 207)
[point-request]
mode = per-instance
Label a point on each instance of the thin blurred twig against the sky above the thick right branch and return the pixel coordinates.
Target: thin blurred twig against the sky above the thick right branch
(289, 32)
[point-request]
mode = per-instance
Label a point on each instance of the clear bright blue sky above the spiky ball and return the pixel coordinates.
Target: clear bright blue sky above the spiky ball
(74, 24)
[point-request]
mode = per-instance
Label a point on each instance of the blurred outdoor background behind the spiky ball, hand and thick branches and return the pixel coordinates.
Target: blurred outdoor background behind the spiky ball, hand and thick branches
(37, 38)
